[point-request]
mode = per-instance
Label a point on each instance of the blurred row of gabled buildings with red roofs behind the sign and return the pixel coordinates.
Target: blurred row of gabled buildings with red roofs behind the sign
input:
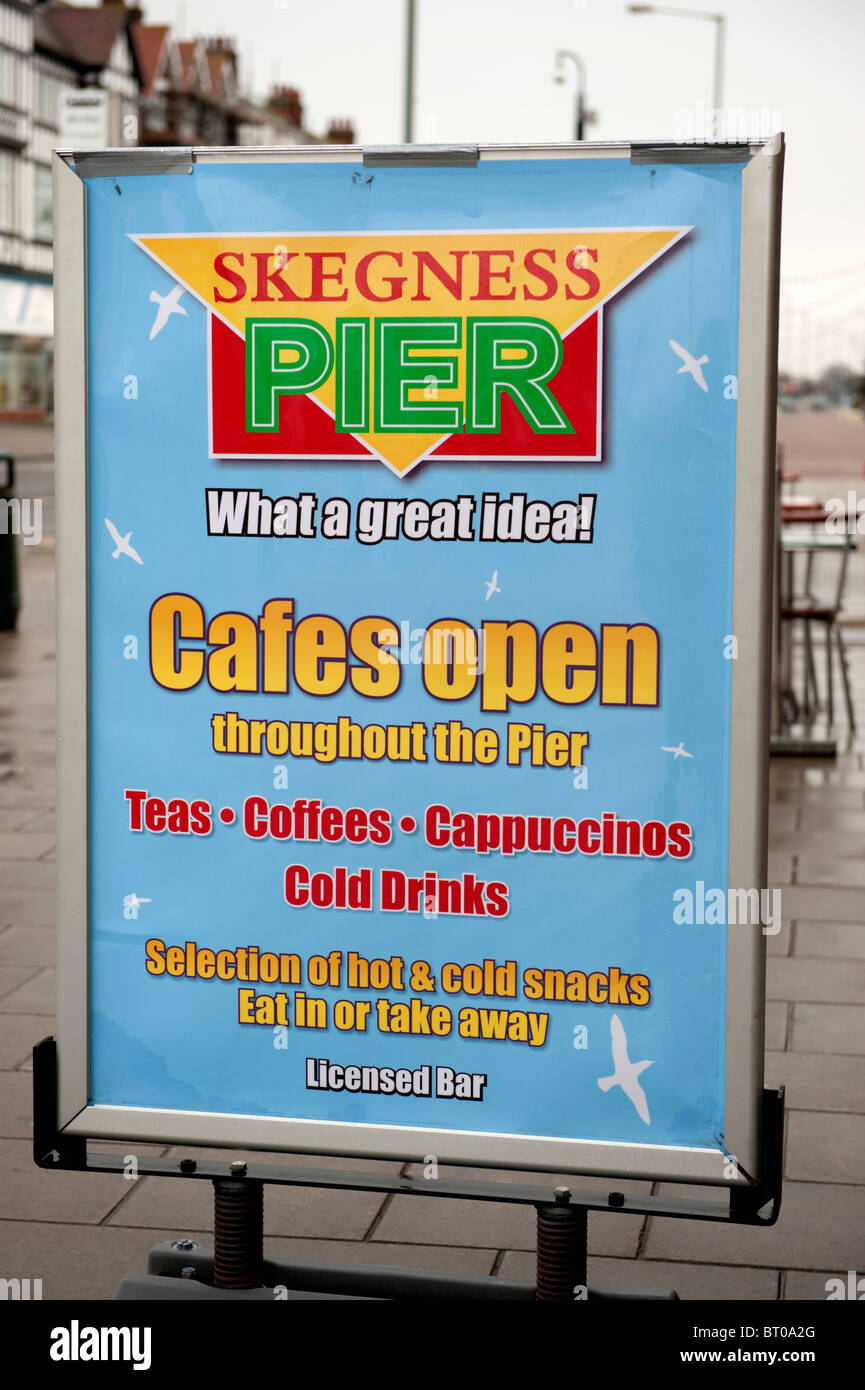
(92, 77)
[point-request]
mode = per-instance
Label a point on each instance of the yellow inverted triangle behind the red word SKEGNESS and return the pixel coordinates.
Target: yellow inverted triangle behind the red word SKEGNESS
(560, 277)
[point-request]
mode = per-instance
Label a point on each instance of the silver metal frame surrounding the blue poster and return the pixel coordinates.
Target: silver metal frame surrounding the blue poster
(77, 1115)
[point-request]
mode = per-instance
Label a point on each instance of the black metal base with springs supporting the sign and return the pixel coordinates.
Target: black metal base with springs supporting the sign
(237, 1267)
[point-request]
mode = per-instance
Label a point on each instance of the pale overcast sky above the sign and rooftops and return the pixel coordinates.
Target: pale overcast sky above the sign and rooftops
(485, 74)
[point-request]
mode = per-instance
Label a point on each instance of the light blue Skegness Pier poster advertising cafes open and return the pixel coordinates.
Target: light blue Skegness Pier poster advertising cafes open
(411, 534)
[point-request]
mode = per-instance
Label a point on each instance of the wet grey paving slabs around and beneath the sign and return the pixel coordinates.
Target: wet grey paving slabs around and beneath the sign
(81, 1234)
